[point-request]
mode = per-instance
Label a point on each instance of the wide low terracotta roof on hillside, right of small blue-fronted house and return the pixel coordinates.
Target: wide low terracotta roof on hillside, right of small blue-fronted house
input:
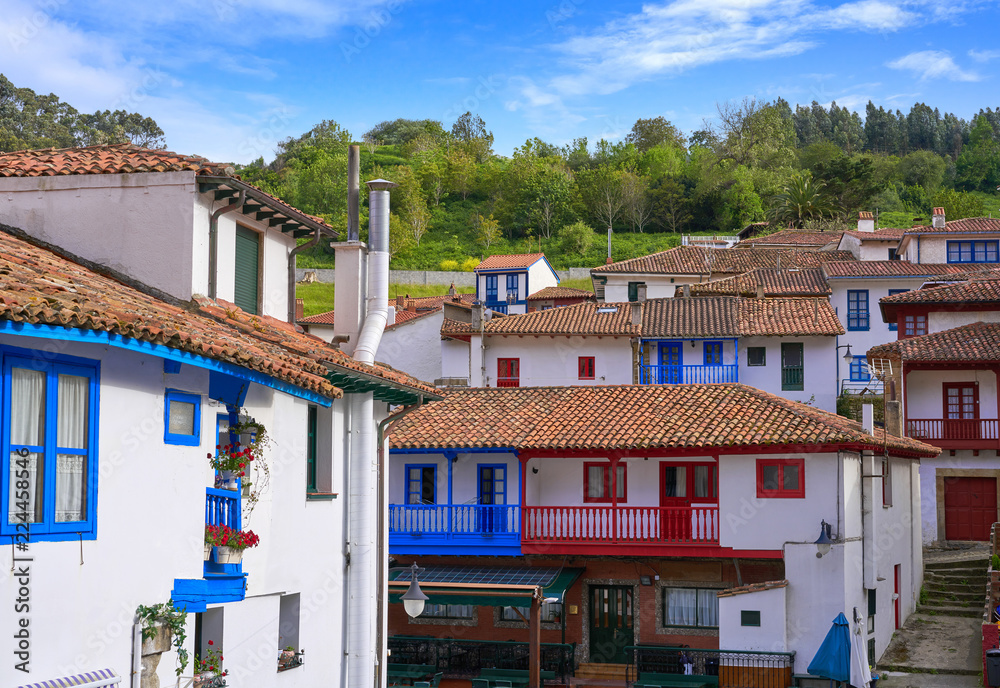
(699, 260)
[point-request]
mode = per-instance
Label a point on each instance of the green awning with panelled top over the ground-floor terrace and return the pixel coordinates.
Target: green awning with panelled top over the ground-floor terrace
(487, 586)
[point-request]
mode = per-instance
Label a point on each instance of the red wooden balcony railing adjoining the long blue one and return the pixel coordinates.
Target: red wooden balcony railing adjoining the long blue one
(637, 529)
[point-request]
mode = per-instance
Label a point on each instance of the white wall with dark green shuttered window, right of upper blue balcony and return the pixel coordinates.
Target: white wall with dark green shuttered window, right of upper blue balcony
(820, 383)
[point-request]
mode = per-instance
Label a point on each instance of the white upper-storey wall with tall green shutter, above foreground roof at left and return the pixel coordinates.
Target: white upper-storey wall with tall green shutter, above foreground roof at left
(152, 227)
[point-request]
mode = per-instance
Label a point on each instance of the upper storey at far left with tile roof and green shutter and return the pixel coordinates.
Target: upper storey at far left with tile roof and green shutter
(179, 224)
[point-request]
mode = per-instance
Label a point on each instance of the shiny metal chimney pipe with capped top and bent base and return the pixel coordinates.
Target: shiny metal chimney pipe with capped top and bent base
(378, 272)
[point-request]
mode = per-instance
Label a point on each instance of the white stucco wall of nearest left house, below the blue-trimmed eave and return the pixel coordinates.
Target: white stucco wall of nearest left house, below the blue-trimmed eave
(150, 523)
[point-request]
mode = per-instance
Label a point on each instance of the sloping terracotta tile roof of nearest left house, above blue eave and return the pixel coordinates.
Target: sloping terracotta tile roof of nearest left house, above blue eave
(39, 287)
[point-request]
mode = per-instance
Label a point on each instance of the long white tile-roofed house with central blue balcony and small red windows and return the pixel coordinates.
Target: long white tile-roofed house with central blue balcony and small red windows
(781, 345)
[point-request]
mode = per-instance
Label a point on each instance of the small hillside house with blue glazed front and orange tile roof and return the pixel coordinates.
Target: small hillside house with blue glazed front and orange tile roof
(503, 282)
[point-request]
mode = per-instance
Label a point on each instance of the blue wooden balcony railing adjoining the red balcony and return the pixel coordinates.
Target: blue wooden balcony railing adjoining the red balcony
(455, 529)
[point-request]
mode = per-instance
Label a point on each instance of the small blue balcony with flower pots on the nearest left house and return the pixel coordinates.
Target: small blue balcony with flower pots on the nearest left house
(220, 582)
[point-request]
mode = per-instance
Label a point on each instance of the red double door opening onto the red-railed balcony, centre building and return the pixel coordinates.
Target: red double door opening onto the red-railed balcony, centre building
(687, 491)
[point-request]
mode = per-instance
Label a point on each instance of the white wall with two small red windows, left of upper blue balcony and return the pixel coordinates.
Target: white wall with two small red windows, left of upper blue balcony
(548, 361)
